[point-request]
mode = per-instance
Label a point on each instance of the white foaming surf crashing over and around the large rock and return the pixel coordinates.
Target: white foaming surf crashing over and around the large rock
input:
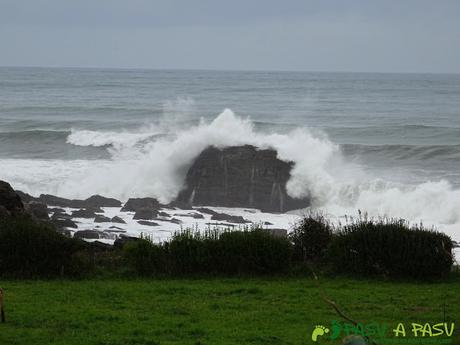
(145, 164)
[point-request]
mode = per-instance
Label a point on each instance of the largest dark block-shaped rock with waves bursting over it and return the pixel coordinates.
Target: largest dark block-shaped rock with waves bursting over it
(240, 176)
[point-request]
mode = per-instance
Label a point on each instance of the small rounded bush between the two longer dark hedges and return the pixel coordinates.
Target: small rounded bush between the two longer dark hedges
(311, 238)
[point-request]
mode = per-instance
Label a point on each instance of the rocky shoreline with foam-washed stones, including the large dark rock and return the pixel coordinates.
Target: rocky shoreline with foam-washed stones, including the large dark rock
(229, 188)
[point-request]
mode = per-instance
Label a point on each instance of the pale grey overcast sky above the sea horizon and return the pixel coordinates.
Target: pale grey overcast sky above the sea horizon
(321, 35)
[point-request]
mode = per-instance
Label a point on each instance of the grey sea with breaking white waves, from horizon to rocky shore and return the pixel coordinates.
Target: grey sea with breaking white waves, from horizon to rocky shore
(386, 143)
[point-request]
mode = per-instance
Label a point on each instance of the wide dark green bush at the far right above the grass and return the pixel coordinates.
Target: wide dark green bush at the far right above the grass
(391, 247)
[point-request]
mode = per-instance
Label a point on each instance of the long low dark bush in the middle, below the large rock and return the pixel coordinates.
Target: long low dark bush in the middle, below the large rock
(188, 252)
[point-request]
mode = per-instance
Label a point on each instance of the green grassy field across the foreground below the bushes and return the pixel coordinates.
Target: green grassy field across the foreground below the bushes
(210, 311)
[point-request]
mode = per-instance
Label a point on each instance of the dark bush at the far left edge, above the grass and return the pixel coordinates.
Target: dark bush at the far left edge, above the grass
(31, 249)
